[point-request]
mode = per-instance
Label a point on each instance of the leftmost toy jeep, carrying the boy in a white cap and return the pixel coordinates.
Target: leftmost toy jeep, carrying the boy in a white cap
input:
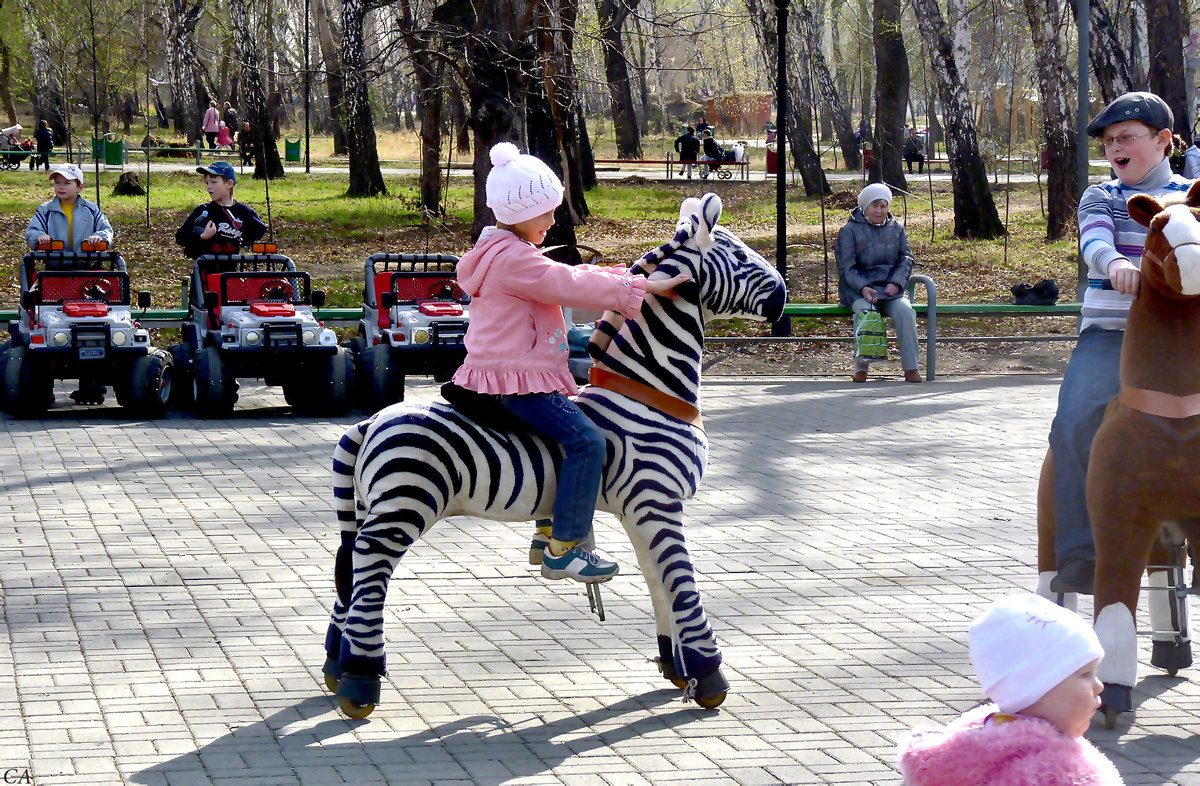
(76, 322)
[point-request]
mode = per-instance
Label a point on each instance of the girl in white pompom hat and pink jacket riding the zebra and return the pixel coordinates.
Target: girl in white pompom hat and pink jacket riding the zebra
(518, 351)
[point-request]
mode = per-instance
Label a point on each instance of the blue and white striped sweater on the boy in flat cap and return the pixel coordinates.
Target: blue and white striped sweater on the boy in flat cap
(1108, 233)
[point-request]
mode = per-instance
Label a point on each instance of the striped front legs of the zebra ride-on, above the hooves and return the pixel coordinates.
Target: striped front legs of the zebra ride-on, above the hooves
(657, 535)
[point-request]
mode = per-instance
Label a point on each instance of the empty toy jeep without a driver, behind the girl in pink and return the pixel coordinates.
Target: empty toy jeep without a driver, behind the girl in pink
(415, 321)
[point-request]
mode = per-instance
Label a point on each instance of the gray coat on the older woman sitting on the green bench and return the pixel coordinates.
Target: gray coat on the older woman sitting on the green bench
(871, 256)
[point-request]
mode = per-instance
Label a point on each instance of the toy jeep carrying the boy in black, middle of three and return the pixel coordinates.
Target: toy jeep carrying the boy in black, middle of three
(251, 316)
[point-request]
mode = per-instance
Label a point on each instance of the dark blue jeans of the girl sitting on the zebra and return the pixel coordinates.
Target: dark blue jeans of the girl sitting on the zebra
(556, 417)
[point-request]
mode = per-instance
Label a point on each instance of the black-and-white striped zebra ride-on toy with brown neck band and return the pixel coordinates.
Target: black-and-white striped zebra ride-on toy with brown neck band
(405, 469)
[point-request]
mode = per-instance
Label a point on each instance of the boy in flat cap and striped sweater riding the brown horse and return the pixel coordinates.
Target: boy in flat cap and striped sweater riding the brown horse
(1136, 134)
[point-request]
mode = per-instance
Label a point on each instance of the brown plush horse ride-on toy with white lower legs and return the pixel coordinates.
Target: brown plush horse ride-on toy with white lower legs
(1143, 478)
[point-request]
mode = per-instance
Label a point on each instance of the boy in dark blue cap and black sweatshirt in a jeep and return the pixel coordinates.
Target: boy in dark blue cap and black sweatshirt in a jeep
(224, 225)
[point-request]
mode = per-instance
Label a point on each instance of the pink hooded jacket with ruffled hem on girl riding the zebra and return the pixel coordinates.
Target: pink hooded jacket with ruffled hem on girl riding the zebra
(517, 341)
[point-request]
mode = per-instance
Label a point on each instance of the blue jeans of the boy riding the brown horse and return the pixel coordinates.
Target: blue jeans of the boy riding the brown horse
(1093, 379)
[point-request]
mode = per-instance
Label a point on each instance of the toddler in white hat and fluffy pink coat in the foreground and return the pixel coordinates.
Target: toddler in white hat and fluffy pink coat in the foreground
(1036, 662)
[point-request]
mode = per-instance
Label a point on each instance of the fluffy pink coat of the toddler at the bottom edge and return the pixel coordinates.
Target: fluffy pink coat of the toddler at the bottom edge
(1025, 752)
